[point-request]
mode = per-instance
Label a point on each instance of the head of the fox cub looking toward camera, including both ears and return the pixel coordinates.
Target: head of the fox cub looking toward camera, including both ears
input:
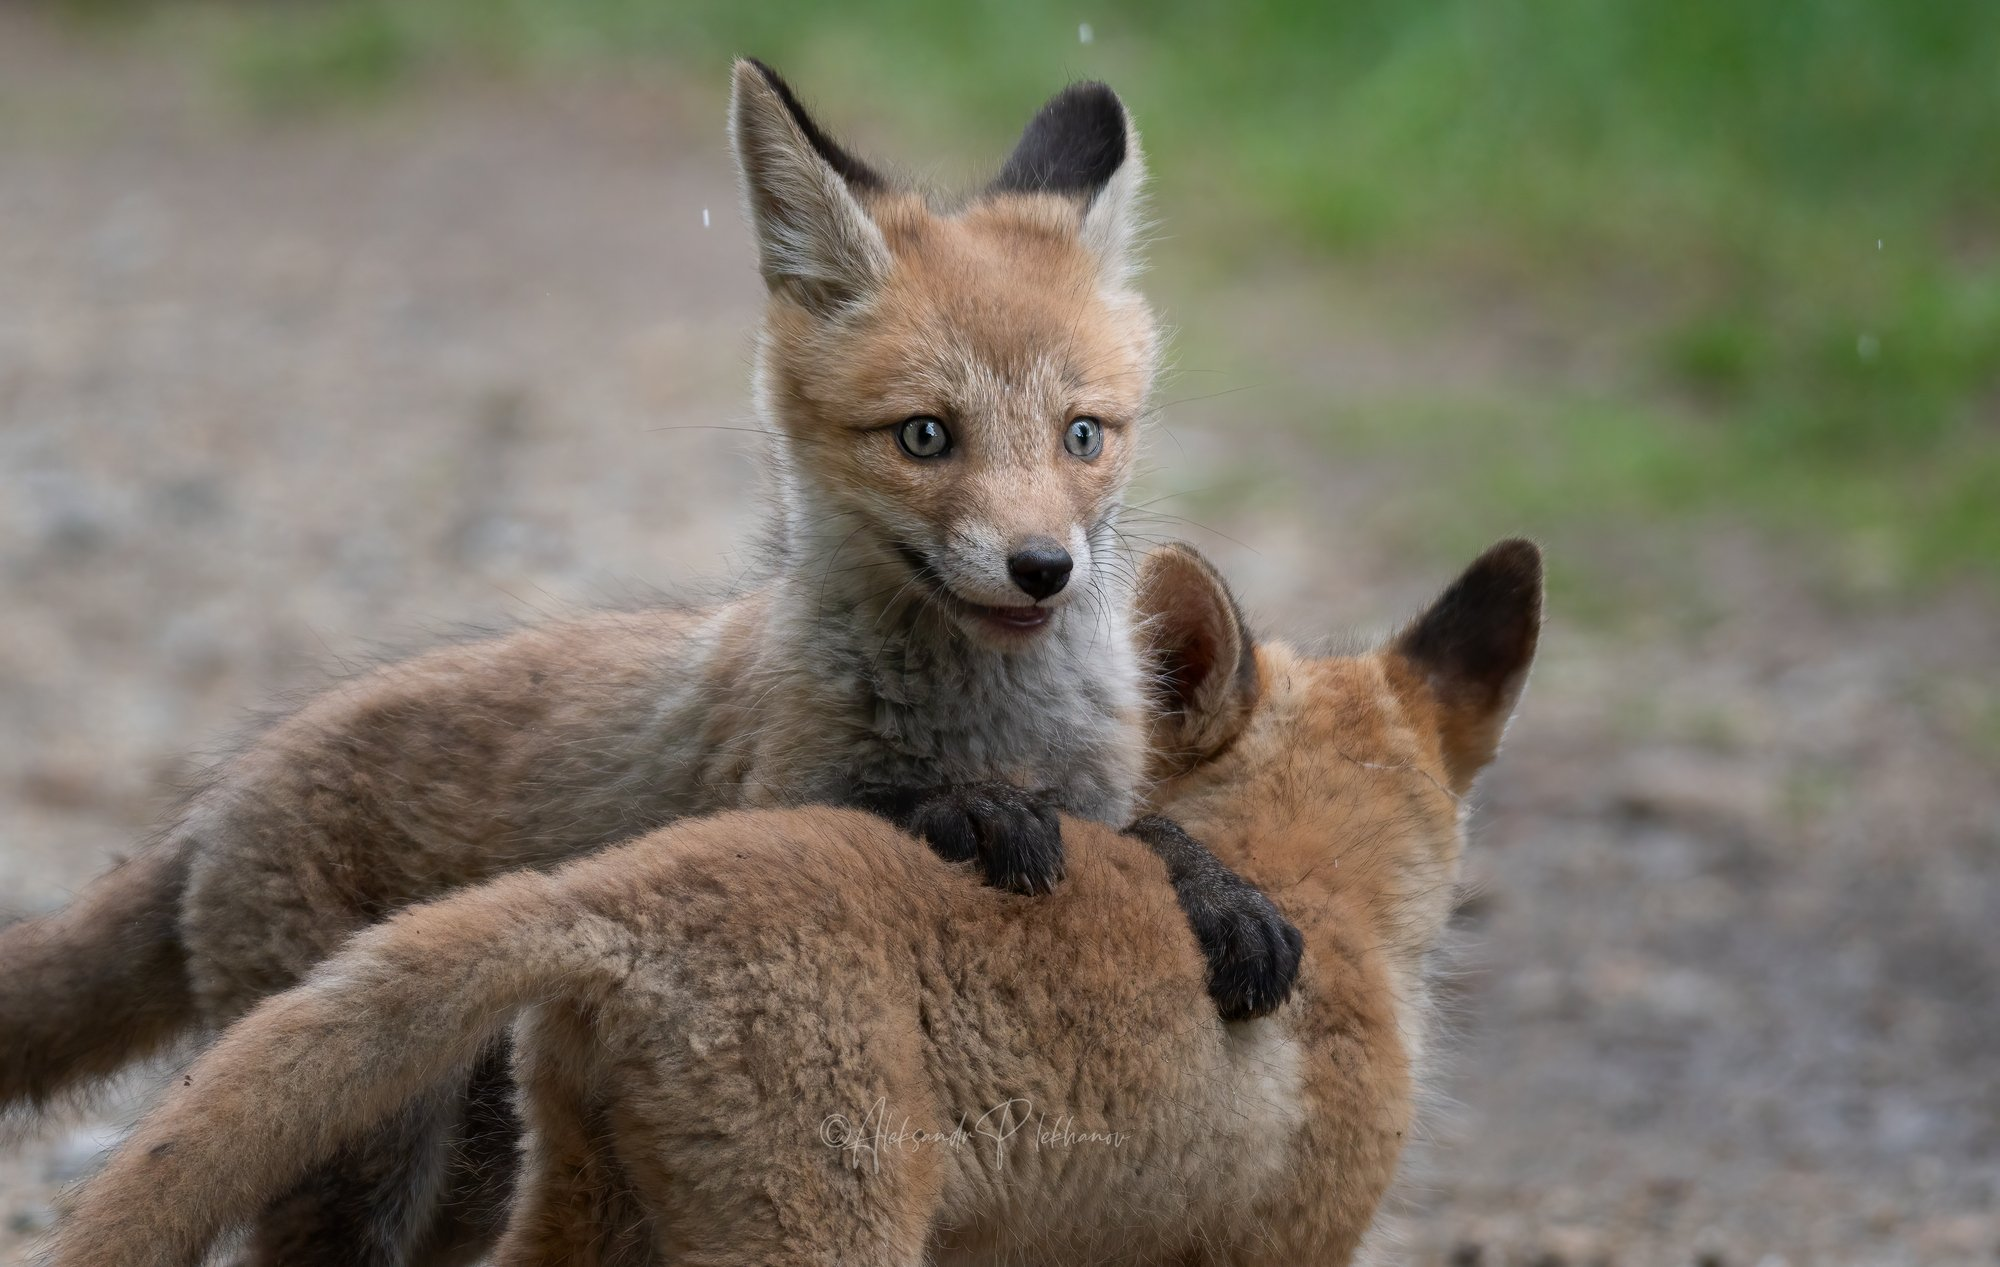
(957, 393)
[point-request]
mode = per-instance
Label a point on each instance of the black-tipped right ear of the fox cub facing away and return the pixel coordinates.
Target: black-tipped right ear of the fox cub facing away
(1473, 650)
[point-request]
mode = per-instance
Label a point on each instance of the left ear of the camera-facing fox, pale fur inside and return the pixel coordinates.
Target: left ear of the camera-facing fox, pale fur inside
(815, 239)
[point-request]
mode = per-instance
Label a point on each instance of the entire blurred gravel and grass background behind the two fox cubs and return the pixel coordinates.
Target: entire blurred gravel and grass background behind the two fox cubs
(329, 327)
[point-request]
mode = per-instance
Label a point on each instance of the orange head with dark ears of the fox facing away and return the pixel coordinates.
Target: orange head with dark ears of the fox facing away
(1293, 760)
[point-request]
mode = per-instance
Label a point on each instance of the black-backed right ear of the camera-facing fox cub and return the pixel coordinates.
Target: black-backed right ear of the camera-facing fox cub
(1083, 145)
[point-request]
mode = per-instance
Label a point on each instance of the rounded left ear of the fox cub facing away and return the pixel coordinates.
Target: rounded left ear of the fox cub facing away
(1201, 654)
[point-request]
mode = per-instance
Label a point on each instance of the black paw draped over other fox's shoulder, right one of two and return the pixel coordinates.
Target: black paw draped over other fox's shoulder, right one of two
(1253, 950)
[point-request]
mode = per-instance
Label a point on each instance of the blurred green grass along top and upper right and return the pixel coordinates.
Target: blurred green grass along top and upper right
(1791, 209)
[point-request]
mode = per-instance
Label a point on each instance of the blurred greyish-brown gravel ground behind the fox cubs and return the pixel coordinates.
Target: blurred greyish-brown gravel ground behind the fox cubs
(279, 397)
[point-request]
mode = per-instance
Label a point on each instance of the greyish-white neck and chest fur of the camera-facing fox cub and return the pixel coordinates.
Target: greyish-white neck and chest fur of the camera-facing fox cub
(863, 680)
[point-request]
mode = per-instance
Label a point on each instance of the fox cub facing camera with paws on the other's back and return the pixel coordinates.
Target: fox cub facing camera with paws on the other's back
(943, 634)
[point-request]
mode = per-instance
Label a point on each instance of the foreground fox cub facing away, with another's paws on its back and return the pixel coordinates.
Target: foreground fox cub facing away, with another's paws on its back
(799, 1038)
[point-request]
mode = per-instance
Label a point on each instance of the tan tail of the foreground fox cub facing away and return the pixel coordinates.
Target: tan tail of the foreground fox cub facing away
(407, 1006)
